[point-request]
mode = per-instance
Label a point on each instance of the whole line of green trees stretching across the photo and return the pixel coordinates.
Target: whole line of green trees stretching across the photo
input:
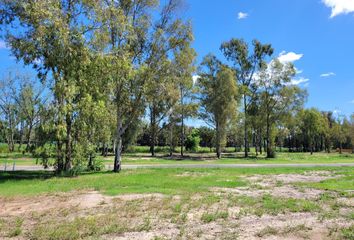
(117, 72)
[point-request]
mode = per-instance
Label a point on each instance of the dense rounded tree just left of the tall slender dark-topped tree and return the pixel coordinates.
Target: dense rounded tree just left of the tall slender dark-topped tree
(218, 92)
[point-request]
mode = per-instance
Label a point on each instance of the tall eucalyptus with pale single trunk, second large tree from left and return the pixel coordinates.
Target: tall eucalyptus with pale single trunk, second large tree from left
(132, 45)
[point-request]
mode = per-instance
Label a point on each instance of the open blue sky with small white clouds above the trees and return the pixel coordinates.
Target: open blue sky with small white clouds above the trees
(316, 35)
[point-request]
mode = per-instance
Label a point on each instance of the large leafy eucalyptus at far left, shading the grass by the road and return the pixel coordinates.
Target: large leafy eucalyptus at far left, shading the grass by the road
(52, 39)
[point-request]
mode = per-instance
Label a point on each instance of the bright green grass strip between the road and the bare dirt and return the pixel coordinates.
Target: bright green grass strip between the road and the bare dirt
(166, 181)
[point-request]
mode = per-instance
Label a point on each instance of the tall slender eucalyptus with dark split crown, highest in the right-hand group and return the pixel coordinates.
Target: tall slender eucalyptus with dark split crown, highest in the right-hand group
(246, 64)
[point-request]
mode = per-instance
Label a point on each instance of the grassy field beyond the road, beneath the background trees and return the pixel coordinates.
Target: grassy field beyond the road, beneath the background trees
(196, 158)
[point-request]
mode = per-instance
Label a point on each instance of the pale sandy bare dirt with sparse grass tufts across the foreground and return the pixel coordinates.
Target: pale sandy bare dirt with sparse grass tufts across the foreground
(211, 215)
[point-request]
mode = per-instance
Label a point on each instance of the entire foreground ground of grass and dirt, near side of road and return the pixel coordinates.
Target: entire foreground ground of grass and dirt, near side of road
(264, 203)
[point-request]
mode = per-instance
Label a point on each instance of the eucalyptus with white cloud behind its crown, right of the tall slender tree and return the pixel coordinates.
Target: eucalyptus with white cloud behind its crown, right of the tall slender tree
(278, 97)
